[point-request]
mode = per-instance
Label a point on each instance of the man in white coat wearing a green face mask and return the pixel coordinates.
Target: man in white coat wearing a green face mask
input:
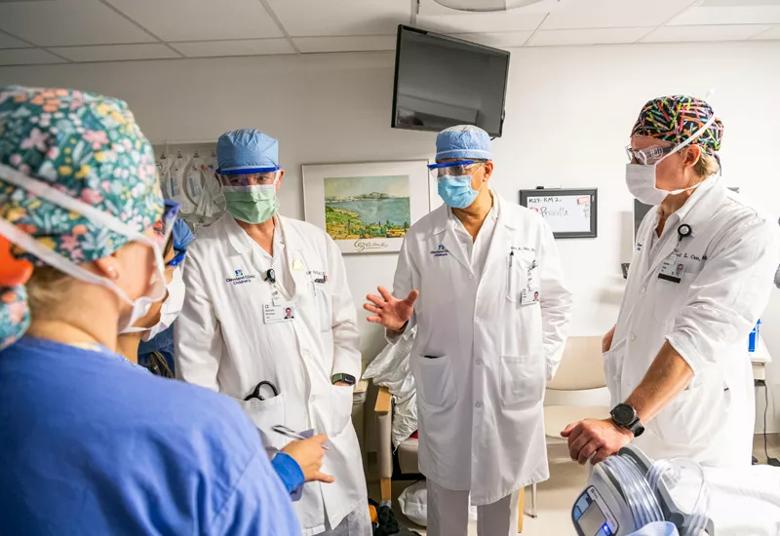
(268, 319)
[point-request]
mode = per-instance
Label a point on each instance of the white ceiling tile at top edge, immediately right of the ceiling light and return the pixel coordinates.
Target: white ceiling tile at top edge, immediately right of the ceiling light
(612, 13)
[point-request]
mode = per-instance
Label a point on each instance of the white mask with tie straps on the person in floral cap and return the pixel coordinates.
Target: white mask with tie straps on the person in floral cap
(141, 305)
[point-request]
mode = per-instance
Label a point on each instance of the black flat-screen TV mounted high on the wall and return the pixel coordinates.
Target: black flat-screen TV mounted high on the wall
(441, 81)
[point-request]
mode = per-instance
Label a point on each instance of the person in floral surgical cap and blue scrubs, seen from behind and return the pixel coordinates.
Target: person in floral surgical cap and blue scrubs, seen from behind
(81, 452)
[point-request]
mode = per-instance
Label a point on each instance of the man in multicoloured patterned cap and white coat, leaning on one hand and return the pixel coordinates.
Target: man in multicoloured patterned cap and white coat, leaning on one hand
(676, 362)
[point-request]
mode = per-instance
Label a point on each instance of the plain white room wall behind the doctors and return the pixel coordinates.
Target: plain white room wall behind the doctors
(569, 112)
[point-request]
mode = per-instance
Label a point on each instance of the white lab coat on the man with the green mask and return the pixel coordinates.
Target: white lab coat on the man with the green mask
(223, 343)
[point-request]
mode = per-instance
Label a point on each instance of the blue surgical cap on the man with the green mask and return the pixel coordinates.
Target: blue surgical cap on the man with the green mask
(246, 150)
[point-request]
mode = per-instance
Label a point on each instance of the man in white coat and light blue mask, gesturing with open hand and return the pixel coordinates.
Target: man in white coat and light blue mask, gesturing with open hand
(491, 317)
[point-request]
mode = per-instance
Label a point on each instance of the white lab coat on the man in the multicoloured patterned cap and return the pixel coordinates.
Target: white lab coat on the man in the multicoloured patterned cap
(727, 268)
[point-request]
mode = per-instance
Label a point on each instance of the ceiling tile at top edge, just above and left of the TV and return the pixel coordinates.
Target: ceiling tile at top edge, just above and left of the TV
(341, 17)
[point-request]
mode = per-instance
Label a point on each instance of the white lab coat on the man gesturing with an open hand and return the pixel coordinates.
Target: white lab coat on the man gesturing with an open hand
(480, 401)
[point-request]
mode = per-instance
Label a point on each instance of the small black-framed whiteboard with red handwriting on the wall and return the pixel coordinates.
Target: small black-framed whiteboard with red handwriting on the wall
(581, 222)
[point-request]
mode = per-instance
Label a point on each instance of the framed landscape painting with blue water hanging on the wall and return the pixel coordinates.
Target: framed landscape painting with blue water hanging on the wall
(366, 207)
